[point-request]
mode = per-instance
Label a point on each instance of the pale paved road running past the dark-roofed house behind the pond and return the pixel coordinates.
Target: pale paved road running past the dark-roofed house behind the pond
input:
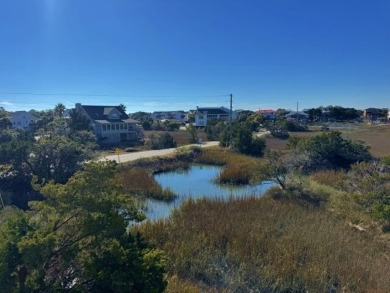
(126, 157)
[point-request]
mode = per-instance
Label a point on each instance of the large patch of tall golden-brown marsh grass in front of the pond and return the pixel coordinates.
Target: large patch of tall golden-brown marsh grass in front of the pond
(267, 245)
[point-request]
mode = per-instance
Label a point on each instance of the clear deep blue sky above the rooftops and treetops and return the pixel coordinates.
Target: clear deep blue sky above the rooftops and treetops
(178, 54)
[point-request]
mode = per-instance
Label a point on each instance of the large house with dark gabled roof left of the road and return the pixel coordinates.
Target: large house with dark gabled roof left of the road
(111, 124)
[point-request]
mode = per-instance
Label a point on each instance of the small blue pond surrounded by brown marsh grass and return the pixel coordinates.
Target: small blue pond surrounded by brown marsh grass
(198, 182)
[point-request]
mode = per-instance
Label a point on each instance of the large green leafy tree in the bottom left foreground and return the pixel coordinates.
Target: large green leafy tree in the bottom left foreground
(77, 240)
